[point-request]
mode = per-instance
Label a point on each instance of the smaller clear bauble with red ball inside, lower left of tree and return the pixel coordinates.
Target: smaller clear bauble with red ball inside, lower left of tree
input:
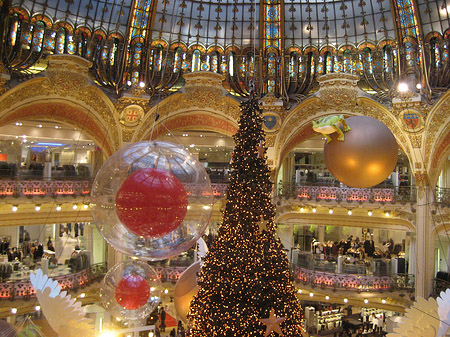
(131, 290)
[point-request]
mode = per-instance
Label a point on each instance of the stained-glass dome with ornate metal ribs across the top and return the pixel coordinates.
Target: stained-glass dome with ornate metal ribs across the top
(276, 47)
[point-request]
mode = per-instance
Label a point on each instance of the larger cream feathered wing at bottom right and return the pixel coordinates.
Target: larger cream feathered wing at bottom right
(421, 319)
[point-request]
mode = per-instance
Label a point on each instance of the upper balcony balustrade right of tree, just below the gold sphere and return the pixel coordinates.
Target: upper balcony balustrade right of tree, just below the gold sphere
(324, 192)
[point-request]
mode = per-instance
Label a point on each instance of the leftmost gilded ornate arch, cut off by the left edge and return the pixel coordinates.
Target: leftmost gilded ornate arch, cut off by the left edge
(65, 97)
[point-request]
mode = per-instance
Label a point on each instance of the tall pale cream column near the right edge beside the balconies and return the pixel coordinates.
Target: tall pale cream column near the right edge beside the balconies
(424, 237)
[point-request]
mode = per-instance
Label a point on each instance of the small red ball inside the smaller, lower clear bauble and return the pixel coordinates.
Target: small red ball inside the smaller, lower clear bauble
(132, 292)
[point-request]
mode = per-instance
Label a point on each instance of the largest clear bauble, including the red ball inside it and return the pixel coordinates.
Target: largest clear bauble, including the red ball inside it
(152, 200)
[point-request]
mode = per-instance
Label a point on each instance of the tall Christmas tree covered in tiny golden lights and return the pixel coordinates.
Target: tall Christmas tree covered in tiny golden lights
(245, 284)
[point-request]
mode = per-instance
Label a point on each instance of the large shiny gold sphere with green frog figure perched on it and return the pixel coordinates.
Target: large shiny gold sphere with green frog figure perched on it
(366, 157)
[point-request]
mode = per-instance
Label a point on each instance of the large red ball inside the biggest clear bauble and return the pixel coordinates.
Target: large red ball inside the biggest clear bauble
(151, 202)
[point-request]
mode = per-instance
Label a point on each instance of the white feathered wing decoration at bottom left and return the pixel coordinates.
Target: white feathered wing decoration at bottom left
(62, 311)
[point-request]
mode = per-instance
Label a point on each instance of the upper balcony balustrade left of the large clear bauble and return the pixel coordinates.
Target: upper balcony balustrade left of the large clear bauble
(44, 187)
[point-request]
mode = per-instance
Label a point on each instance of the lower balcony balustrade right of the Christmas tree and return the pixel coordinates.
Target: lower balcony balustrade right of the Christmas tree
(354, 282)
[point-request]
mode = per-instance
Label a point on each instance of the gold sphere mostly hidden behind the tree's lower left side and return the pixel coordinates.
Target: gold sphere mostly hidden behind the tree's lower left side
(185, 290)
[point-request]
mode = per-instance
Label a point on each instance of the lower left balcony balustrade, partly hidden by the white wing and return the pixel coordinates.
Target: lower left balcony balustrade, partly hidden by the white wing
(23, 289)
